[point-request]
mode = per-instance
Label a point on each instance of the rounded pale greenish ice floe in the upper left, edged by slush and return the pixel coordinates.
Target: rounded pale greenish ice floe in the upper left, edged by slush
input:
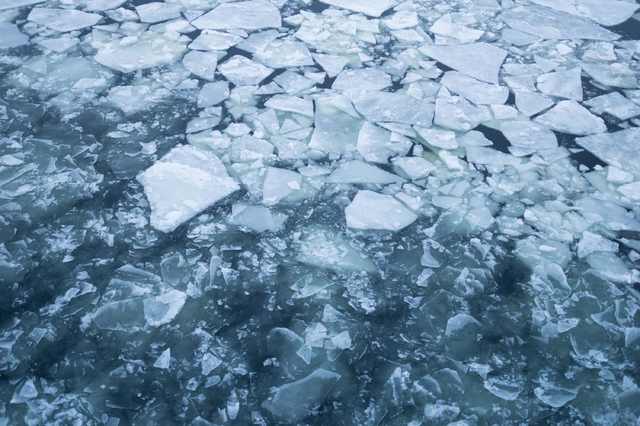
(149, 50)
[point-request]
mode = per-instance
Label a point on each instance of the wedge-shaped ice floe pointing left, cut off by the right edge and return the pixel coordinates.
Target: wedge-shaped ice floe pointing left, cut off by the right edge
(620, 149)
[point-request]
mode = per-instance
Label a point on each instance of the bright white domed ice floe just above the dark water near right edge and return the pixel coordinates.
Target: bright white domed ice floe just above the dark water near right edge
(572, 118)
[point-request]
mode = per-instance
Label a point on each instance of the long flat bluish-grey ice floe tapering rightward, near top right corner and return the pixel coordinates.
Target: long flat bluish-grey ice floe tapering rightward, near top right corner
(555, 25)
